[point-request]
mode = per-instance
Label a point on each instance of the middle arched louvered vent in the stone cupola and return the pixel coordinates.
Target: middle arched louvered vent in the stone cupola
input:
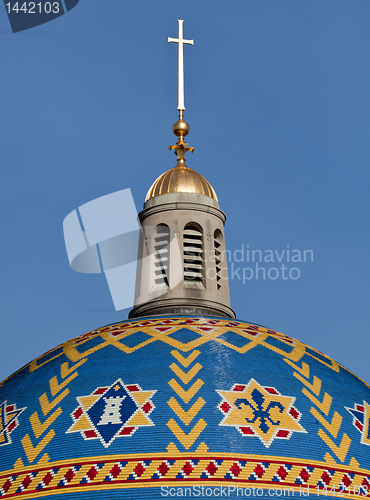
(193, 255)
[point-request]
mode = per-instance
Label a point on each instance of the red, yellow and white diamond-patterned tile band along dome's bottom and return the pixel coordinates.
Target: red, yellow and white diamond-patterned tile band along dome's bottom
(57, 479)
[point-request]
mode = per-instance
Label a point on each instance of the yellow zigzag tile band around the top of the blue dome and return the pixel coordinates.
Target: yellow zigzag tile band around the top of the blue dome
(131, 336)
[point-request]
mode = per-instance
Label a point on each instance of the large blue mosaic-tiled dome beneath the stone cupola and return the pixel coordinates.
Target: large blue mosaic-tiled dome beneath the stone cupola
(185, 407)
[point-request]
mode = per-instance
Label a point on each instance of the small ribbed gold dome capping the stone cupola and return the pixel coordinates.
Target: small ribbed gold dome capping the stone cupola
(181, 179)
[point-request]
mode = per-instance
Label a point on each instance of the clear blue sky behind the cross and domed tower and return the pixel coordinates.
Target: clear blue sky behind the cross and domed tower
(277, 95)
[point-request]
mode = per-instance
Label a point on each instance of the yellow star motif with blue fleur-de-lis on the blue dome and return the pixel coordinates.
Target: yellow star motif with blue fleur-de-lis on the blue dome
(254, 410)
